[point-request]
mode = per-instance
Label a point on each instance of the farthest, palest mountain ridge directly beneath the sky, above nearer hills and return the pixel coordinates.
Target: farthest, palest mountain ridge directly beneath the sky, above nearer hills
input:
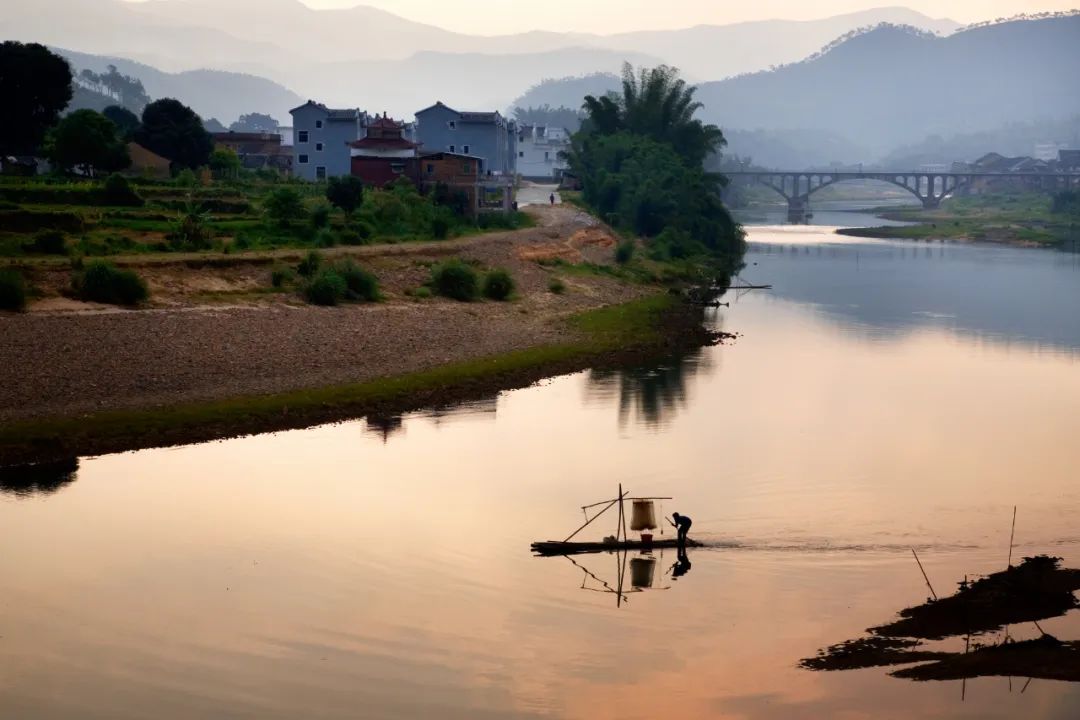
(280, 38)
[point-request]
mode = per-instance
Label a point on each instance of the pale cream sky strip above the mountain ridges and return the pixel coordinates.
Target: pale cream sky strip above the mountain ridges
(607, 17)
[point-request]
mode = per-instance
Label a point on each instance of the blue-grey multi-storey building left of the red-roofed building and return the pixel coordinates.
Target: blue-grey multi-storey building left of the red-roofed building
(321, 140)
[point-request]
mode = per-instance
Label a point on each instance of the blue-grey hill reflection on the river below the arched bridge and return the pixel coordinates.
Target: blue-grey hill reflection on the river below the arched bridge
(888, 289)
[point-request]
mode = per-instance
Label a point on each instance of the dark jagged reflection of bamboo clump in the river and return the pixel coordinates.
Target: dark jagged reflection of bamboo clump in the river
(652, 393)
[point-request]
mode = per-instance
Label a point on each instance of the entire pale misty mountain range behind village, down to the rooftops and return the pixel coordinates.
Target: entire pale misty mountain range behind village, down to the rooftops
(372, 59)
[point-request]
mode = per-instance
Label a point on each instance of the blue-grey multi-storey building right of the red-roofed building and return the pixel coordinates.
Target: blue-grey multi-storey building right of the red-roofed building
(485, 135)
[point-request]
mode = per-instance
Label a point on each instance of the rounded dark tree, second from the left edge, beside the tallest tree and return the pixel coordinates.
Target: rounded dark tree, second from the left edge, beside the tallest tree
(87, 141)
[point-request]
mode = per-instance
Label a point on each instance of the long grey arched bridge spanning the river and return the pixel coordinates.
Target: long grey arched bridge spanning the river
(930, 188)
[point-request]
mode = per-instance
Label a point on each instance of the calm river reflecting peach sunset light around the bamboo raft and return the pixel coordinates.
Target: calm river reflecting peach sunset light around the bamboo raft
(884, 397)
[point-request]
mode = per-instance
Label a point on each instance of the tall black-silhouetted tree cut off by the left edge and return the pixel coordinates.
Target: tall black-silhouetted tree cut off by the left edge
(36, 87)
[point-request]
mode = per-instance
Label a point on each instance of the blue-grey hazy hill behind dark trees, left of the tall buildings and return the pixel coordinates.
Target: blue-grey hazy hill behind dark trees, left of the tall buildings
(210, 93)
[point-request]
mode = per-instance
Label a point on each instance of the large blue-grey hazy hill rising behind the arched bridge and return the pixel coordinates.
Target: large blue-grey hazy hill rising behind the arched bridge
(892, 86)
